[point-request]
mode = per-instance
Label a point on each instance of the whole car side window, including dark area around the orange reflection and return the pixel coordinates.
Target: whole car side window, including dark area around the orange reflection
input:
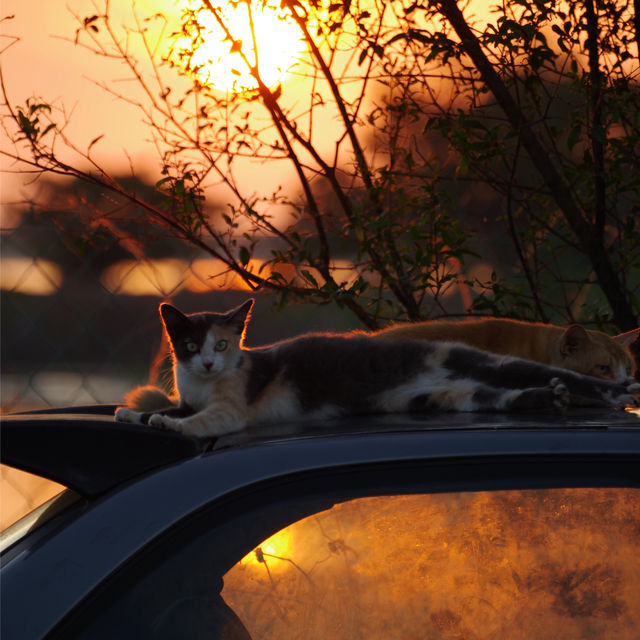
(384, 562)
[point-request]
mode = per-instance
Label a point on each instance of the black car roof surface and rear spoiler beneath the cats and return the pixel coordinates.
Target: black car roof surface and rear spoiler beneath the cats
(85, 449)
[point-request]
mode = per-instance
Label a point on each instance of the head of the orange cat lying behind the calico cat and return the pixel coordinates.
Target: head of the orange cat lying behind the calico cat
(596, 354)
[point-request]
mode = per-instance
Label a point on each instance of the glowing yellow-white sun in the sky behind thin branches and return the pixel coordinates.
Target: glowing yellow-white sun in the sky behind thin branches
(222, 59)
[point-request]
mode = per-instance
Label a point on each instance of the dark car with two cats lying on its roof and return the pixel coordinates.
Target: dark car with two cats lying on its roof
(442, 526)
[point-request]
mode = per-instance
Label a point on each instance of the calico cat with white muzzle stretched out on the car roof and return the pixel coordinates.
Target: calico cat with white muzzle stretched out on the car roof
(224, 387)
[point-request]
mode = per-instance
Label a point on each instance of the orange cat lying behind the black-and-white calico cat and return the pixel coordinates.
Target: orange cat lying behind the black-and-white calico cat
(583, 350)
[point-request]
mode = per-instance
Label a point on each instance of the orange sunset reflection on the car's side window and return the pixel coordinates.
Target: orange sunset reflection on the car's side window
(505, 564)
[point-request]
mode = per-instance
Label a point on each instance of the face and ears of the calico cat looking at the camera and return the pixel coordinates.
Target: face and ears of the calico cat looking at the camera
(205, 344)
